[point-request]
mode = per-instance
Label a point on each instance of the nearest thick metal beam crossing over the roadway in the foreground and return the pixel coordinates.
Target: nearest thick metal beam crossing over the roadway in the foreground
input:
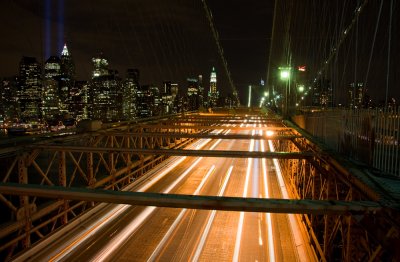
(195, 202)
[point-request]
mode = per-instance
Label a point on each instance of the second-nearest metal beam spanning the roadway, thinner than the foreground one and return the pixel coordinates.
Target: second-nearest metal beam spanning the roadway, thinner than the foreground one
(178, 152)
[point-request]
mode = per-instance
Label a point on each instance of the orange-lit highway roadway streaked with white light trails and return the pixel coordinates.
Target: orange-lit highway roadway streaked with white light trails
(129, 233)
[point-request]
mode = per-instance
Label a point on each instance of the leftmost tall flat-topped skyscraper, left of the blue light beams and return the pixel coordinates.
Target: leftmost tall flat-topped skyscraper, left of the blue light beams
(30, 88)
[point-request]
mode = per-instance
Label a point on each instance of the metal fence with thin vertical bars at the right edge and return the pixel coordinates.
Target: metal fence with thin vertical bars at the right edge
(371, 136)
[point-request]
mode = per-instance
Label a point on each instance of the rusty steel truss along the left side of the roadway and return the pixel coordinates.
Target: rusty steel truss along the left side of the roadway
(108, 170)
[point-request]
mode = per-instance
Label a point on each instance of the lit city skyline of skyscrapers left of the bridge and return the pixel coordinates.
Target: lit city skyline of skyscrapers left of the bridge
(51, 97)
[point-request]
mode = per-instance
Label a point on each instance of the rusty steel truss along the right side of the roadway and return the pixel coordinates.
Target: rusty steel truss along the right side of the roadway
(338, 237)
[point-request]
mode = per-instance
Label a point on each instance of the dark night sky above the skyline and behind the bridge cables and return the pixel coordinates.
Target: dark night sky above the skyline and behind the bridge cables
(172, 40)
